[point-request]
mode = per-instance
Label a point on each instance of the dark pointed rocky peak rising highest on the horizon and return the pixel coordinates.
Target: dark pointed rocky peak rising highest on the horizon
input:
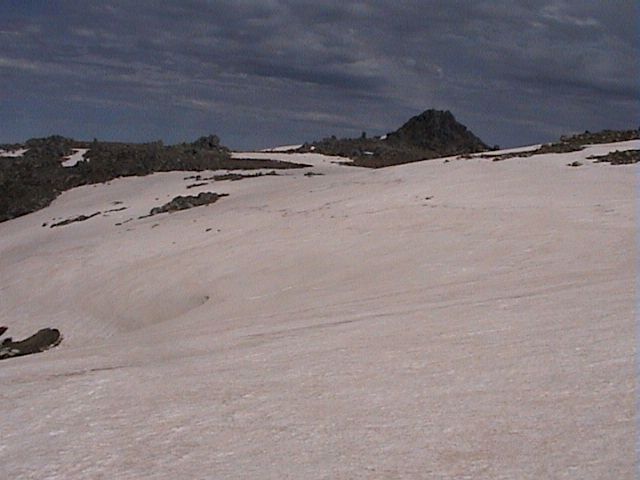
(439, 131)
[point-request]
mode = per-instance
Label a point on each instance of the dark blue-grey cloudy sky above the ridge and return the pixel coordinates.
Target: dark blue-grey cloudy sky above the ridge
(261, 73)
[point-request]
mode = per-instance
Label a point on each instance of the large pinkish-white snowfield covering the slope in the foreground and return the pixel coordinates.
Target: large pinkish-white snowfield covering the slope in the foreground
(468, 319)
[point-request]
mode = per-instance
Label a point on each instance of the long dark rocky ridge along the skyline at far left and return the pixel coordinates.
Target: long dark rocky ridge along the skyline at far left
(32, 181)
